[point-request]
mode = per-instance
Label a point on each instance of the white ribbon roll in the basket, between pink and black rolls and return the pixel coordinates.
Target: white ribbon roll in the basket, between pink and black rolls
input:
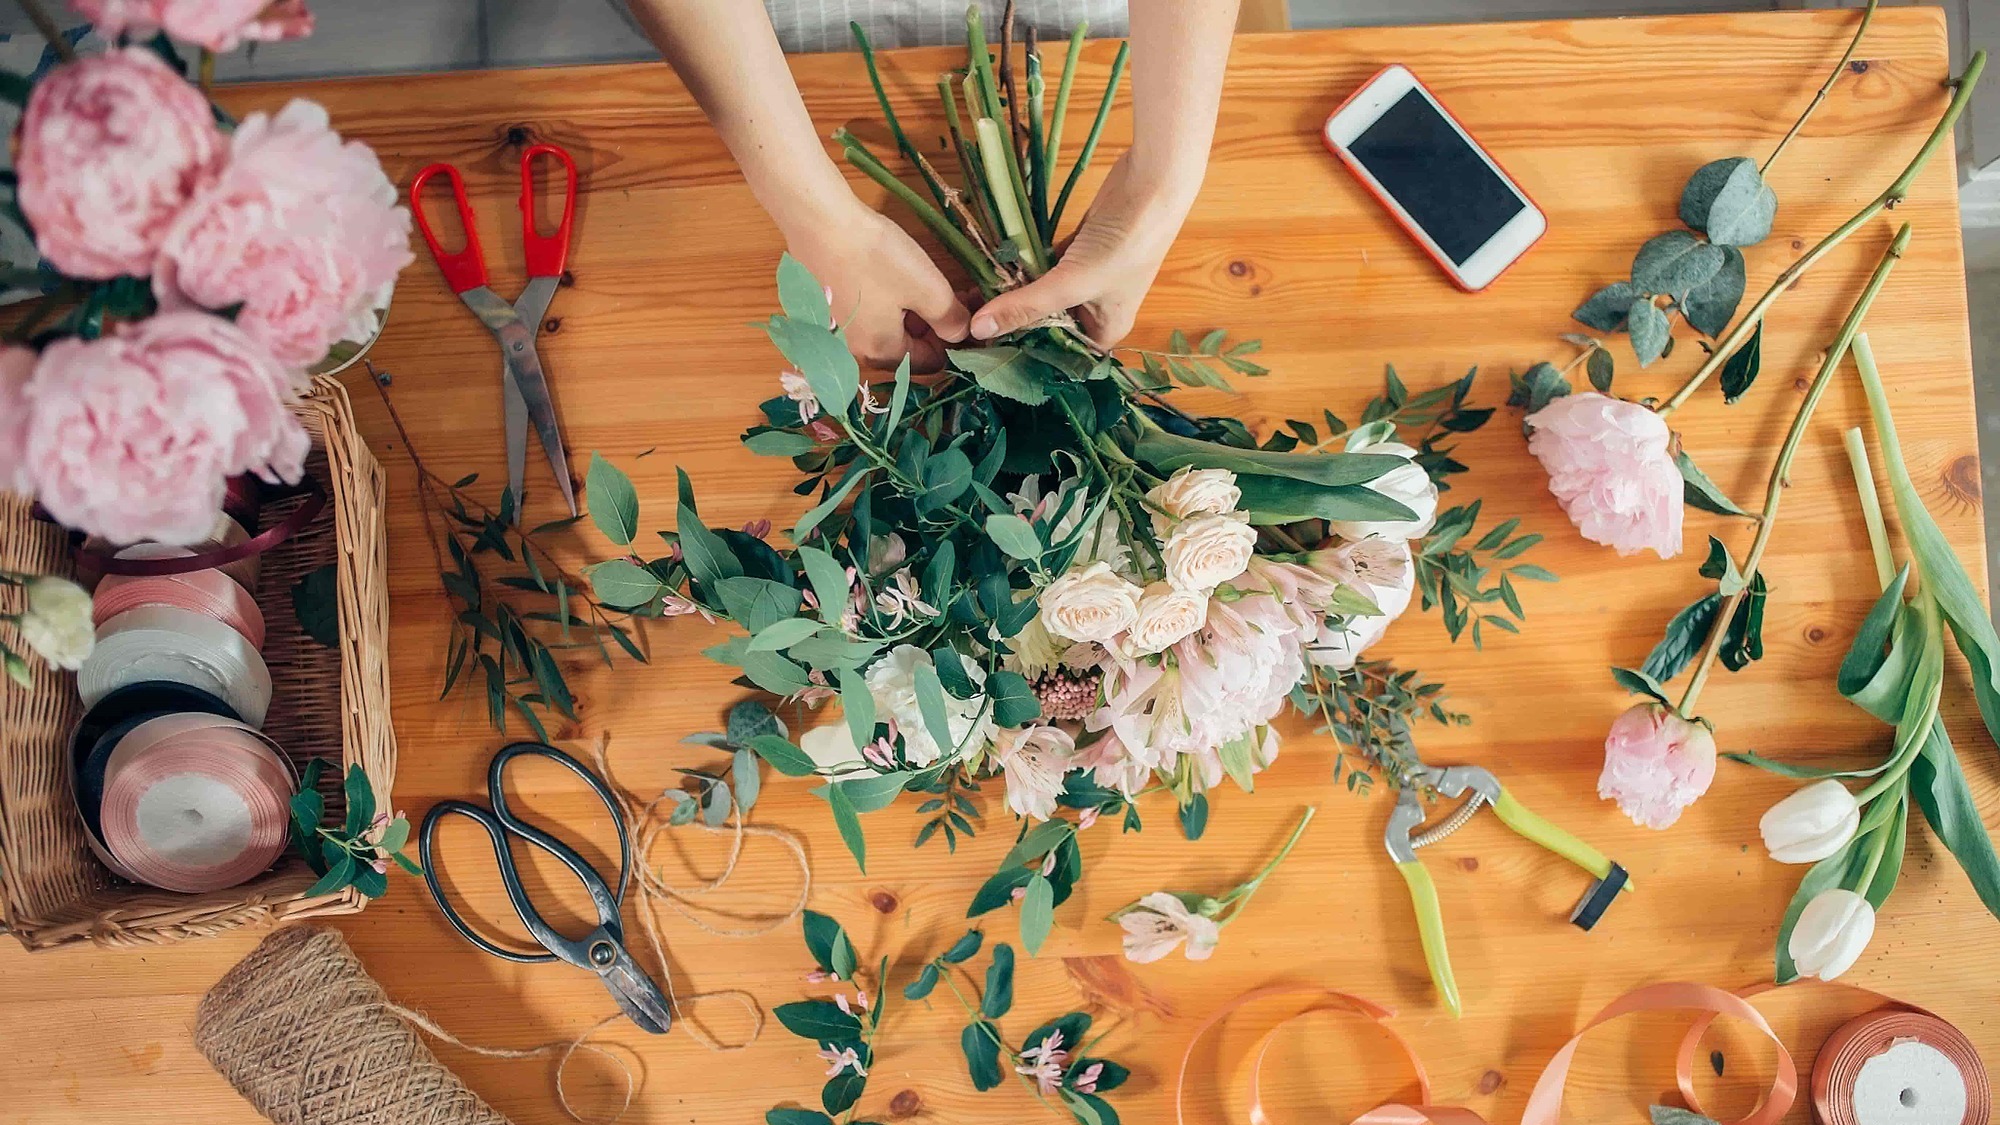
(163, 644)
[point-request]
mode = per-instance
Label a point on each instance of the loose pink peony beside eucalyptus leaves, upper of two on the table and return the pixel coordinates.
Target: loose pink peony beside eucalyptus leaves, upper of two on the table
(1611, 467)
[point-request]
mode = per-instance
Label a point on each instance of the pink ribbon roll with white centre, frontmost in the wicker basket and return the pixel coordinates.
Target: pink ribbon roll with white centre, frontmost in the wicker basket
(197, 804)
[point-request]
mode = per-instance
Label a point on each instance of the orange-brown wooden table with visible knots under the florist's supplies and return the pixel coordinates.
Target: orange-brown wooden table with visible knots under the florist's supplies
(651, 351)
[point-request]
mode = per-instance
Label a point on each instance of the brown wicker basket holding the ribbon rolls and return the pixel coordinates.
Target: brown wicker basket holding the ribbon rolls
(325, 706)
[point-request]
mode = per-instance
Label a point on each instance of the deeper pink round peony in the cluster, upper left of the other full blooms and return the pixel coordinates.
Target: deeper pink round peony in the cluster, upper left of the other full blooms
(111, 149)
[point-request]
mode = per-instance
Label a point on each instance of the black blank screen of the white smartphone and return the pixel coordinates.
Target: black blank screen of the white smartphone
(1429, 167)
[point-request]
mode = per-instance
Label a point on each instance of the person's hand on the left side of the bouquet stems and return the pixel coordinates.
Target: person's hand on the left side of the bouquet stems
(889, 295)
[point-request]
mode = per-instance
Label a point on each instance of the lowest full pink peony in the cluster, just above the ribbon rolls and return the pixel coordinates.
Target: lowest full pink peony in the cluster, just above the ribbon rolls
(133, 437)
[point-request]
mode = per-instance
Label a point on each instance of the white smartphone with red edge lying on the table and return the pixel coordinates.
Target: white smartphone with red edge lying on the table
(1455, 199)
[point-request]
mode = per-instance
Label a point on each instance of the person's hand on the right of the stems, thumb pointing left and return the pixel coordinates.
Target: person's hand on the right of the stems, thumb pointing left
(1109, 263)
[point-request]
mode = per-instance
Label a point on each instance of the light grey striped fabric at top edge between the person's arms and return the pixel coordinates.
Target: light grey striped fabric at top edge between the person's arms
(823, 25)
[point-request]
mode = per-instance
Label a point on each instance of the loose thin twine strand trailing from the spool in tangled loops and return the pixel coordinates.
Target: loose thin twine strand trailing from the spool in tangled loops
(655, 890)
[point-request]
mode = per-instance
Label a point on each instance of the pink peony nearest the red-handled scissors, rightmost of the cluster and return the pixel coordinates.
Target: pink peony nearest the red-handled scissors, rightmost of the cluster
(299, 229)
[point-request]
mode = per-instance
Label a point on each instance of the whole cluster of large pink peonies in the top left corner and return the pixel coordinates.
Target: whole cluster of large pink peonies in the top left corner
(191, 271)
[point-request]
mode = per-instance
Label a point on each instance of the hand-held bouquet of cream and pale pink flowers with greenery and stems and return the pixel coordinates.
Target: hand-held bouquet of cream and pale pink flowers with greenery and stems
(1039, 570)
